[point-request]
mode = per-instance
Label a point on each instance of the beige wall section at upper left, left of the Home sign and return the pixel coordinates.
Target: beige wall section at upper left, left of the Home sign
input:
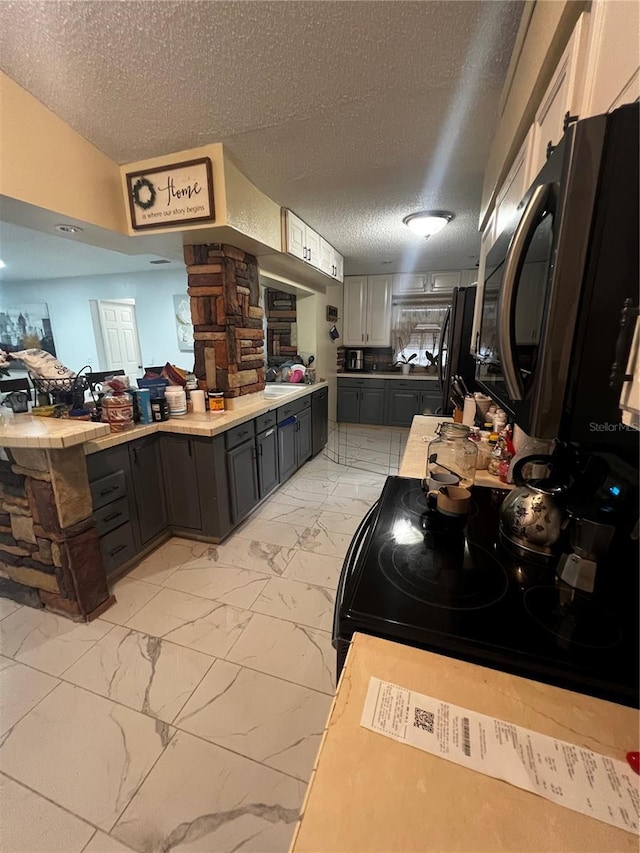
(43, 162)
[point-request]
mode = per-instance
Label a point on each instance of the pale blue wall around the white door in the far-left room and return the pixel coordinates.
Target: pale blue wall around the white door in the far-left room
(71, 323)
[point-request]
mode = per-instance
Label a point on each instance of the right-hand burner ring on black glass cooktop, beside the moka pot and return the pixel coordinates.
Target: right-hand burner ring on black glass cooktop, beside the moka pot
(574, 621)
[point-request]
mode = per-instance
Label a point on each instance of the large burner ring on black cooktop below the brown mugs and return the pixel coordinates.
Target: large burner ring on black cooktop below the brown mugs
(445, 571)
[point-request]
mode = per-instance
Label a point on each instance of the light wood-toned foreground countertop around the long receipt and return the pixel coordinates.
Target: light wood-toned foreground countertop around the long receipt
(371, 793)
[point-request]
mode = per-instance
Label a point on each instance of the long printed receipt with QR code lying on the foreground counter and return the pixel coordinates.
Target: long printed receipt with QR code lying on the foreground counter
(578, 778)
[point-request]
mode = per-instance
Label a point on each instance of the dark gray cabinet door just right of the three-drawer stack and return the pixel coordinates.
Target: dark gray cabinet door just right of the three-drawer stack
(148, 486)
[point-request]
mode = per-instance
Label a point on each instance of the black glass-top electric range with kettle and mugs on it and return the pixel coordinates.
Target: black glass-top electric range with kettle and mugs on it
(414, 576)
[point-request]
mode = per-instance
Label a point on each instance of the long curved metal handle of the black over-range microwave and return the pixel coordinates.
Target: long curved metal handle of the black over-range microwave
(512, 266)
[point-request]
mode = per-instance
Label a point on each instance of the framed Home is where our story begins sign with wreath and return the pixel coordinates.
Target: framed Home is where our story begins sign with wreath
(170, 195)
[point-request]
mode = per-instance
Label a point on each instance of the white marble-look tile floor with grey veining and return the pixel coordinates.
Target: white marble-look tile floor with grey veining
(188, 717)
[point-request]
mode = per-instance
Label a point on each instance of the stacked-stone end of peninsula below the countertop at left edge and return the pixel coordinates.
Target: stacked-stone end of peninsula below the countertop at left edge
(49, 551)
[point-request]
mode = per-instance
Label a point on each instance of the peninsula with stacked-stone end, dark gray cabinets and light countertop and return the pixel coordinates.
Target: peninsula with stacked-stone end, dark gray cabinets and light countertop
(80, 503)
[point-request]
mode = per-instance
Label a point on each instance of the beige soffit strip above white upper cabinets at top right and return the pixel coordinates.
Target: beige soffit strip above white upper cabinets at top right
(547, 33)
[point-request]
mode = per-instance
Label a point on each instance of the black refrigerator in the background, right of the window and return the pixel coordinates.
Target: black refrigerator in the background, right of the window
(455, 357)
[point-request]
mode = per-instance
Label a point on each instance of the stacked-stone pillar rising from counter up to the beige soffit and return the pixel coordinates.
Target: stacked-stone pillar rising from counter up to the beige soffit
(227, 318)
